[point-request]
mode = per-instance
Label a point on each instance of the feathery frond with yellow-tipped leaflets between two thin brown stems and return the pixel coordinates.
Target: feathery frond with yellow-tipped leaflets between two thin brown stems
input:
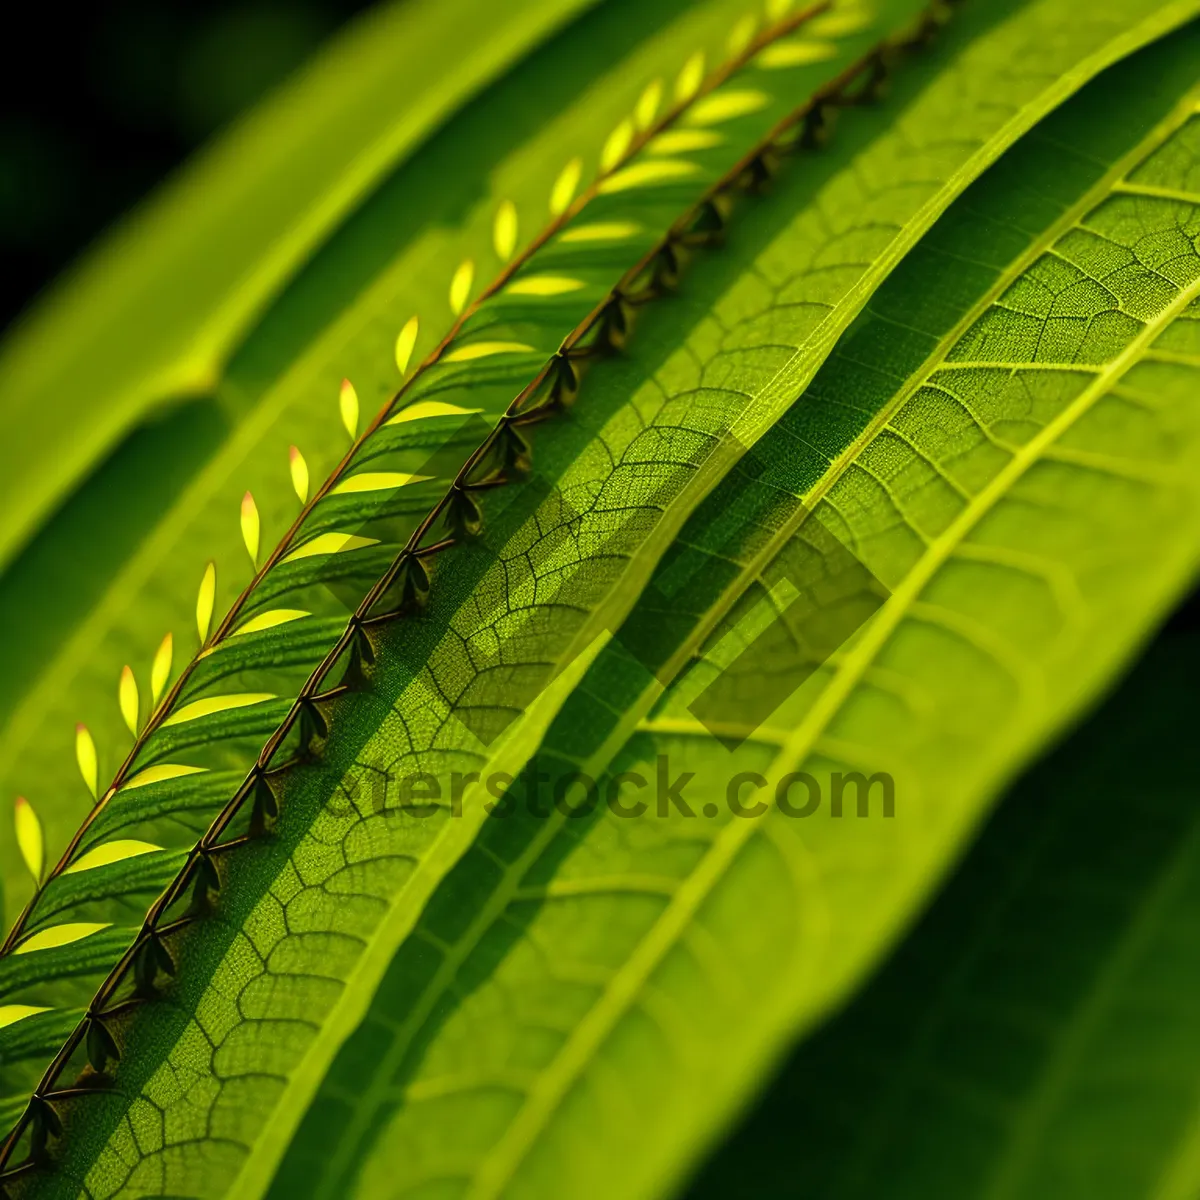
(221, 741)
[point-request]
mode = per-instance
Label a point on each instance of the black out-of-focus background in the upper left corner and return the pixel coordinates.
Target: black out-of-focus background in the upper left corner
(99, 104)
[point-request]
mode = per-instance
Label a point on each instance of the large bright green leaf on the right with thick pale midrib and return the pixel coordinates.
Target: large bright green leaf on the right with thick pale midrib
(566, 965)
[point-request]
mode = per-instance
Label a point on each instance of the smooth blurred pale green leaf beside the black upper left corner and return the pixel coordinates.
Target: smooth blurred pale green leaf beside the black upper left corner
(122, 337)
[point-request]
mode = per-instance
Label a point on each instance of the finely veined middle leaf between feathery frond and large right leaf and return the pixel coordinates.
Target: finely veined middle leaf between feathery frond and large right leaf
(382, 878)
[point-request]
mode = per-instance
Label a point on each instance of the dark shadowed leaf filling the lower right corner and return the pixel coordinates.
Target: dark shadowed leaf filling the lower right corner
(1042, 1018)
